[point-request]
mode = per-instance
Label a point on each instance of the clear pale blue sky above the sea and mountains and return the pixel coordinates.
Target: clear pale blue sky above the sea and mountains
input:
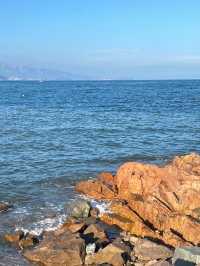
(103, 39)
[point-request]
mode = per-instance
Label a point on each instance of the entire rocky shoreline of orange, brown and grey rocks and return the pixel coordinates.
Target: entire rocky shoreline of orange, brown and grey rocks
(153, 219)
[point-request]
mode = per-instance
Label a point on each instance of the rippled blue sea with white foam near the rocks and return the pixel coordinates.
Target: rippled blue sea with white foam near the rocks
(53, 134)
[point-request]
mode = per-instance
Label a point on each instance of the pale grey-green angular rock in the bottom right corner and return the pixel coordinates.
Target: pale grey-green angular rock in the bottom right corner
(187, 254)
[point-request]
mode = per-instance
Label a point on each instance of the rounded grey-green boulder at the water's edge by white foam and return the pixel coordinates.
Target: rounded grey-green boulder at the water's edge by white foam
(80, 209)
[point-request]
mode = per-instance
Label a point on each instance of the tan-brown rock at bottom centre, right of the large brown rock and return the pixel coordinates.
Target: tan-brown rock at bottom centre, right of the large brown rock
(110, 254)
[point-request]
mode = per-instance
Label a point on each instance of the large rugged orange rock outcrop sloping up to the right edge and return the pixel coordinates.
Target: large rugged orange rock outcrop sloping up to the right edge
(152, 201)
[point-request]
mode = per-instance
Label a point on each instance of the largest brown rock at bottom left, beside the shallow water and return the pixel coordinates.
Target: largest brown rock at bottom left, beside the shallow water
(62, 250)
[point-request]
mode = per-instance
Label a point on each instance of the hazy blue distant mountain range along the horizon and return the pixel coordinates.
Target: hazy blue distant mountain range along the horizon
(32, 73)
